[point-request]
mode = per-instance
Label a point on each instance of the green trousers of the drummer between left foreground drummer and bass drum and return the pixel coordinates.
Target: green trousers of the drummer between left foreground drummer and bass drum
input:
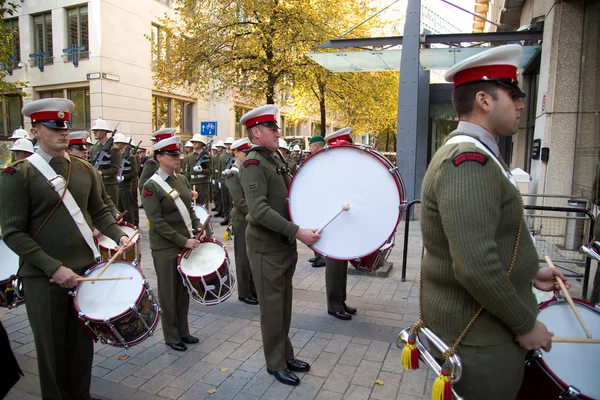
(172, 295)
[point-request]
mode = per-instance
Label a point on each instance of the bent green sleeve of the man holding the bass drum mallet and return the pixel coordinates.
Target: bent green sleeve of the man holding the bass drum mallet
(255, 183)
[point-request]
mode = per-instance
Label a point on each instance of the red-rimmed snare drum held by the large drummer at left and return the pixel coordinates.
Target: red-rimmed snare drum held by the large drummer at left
(119, 313)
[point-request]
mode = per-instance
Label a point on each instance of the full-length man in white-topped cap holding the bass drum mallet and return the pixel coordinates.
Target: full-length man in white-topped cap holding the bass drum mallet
(271, 241)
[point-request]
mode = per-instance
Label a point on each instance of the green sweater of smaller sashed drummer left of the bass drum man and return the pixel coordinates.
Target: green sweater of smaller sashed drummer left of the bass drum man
(167, 228)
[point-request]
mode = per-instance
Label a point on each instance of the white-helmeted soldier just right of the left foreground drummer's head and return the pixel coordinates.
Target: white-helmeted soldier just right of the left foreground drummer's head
(109, 163)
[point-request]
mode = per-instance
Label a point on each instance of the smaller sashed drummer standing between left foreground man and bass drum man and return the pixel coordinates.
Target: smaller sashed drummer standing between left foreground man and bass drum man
(167, 199)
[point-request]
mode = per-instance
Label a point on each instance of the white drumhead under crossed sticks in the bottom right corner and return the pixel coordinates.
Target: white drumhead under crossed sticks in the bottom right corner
(574, 363)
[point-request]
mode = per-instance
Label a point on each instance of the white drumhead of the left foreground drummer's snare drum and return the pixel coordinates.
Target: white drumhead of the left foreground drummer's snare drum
(108, 299)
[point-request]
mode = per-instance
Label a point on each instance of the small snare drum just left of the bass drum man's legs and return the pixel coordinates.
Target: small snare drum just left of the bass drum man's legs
(206, 273)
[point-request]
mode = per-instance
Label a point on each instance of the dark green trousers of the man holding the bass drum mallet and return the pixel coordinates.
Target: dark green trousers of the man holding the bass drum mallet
(272, 273)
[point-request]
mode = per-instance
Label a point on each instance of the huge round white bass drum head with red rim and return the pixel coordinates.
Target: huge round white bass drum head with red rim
(346, 175)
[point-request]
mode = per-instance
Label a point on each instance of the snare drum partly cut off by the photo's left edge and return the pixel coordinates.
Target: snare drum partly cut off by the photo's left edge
(11, 287)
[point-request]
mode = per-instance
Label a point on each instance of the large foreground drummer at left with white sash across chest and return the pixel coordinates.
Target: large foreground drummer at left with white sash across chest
(54, 240)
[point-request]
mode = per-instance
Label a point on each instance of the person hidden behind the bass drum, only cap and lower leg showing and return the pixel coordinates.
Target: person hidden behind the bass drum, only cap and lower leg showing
(336, 271)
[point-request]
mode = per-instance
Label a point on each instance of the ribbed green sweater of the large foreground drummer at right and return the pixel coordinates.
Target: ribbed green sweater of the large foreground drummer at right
(470, 214)
